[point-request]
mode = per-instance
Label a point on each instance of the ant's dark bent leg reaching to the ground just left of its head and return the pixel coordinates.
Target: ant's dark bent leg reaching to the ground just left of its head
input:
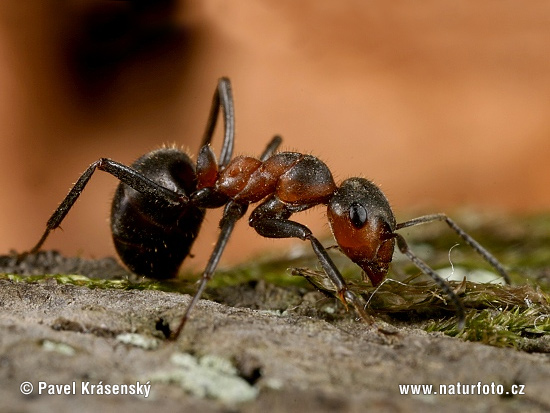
(270, 220)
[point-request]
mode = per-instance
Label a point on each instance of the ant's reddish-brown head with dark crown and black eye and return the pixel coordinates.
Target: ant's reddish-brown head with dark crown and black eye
(363, 223)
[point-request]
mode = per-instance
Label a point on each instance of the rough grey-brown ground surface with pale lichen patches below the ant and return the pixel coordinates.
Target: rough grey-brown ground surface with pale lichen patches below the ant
(261, 347)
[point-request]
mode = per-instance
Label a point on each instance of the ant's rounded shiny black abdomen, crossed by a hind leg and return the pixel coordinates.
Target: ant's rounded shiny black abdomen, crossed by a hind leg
(151, 236)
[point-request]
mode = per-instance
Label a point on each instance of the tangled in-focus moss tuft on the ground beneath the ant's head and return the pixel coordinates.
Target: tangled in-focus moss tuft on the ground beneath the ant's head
(499, 315)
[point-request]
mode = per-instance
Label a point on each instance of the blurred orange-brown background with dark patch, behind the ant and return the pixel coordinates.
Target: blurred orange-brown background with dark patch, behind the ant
(444, 105)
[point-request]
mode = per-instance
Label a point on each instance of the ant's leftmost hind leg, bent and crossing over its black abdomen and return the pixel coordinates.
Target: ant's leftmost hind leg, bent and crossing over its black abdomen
(125, 174)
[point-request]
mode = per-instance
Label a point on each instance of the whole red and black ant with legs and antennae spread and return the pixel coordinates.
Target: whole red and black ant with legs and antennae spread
(160, 202)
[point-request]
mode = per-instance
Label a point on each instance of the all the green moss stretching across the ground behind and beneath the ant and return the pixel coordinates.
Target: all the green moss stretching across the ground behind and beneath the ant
(496, 314)
